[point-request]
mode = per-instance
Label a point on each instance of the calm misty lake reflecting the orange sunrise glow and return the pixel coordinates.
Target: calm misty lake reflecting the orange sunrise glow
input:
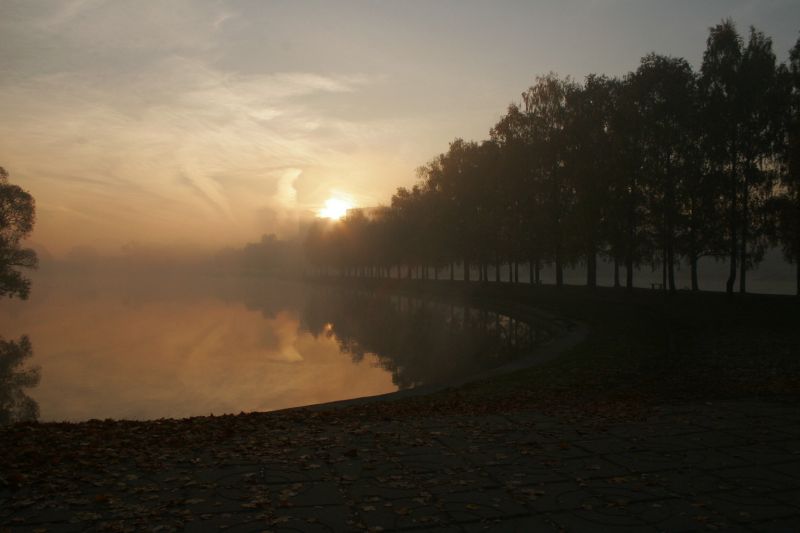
(139, 348)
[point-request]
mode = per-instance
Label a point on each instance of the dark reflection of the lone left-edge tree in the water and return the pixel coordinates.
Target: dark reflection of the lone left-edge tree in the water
(15, 404)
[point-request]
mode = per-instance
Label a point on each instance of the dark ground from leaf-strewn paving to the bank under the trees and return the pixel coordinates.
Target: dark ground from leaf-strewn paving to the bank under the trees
(674, 414)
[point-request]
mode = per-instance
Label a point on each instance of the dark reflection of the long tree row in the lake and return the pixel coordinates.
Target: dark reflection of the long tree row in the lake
(418, 340)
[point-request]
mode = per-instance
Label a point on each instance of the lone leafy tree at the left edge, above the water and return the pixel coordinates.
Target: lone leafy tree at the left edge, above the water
(17, 215)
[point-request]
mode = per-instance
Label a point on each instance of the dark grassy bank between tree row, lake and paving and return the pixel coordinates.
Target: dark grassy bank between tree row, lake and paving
(642, 347)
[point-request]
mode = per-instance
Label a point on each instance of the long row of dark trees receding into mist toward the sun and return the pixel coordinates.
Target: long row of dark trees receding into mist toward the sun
(662, 166)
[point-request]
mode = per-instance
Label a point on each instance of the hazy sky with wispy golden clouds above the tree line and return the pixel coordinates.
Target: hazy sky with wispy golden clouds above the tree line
(207, 123)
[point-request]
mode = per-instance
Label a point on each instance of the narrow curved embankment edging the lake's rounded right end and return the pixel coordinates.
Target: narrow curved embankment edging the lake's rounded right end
(567, 333)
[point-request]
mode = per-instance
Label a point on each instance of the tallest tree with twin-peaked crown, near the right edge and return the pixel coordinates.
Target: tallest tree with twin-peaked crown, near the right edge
(740, 107)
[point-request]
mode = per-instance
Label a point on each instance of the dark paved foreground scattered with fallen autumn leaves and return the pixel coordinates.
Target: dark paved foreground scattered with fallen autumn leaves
(732, 466)
